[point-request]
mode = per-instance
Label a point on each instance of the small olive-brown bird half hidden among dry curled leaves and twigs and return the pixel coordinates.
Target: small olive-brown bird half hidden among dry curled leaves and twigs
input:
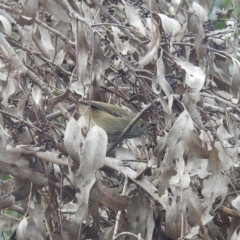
(112, 119)
